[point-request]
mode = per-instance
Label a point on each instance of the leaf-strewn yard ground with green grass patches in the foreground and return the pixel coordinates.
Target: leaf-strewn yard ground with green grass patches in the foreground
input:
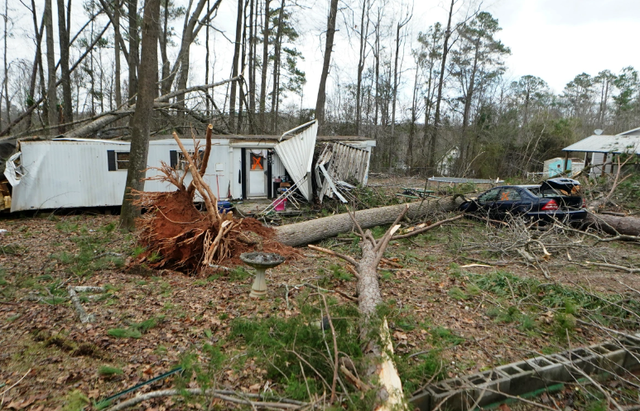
(446, 318)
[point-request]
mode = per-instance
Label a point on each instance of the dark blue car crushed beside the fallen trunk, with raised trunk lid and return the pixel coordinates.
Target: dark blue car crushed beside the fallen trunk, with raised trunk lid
(554, 199)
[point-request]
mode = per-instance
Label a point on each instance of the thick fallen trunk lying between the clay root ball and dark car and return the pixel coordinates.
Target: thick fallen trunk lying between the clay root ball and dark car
(306, 232)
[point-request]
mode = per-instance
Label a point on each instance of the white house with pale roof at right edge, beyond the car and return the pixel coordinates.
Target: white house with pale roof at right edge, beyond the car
(600, 150)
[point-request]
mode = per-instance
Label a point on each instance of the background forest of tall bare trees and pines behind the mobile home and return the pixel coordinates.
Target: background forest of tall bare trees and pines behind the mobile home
(419, 96)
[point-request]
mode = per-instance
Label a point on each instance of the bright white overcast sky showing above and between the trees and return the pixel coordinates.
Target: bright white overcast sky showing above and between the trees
(552, 39)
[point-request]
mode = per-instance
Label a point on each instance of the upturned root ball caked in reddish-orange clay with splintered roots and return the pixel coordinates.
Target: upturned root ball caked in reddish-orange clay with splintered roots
(178, 236)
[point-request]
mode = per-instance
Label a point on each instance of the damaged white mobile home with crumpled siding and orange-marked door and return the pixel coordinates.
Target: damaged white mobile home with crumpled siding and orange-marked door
(74, 173)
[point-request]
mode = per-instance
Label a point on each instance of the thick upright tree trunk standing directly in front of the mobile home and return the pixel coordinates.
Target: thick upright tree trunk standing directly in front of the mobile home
(140, 124)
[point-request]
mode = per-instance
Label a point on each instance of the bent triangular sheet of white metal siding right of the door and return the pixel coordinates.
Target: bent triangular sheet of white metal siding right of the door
(296, 154)
